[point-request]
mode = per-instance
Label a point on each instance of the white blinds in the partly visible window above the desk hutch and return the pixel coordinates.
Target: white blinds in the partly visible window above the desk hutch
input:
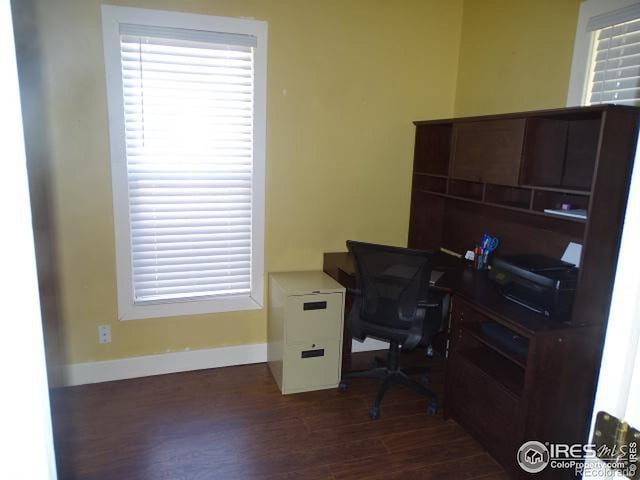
(615, 68)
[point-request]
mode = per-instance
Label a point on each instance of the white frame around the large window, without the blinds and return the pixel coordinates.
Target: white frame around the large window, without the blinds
(112, 17)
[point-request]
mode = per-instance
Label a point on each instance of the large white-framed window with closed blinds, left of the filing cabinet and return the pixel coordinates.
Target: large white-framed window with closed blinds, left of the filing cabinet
(186, 98)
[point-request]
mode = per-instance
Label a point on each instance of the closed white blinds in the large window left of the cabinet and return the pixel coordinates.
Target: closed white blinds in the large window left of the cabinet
(189, 109)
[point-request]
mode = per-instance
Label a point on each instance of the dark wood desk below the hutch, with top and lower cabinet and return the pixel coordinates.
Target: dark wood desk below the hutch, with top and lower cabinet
(500, 397)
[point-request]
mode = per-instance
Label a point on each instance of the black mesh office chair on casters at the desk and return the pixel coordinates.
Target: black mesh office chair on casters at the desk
(393, 303)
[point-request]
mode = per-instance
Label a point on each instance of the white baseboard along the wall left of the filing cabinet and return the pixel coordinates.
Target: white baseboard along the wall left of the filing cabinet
(133, 367)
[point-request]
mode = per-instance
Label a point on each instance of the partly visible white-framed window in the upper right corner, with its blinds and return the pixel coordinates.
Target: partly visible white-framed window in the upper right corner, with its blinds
(606, 62)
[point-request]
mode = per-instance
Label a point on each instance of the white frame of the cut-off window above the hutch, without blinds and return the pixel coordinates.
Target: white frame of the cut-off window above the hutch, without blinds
(583, 47)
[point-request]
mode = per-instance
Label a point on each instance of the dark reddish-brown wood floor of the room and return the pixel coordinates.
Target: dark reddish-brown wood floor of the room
(232, 423)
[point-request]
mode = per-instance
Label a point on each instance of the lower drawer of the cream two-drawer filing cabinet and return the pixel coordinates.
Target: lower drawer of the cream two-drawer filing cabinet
(310, 366)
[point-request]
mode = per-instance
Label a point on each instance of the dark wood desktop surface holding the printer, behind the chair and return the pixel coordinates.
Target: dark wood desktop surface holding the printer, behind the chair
(473, 286)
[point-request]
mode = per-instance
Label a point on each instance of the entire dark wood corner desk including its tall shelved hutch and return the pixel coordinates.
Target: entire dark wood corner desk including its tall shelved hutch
(508, 175)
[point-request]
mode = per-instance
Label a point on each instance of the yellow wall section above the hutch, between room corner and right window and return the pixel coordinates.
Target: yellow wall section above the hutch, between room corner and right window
(515, 55)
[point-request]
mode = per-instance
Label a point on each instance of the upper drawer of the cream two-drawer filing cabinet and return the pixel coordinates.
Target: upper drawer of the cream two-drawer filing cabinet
(317, 317)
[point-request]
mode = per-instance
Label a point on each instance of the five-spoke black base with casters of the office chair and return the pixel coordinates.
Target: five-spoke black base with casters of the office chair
(389, 375)
